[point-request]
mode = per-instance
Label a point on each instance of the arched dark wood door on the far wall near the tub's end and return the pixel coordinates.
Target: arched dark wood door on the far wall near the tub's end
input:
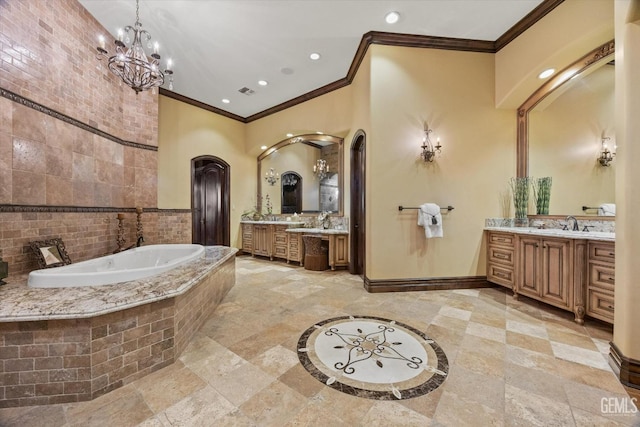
(210, 201)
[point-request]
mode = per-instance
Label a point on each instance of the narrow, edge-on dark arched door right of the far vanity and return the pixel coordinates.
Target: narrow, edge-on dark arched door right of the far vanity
(357, 220)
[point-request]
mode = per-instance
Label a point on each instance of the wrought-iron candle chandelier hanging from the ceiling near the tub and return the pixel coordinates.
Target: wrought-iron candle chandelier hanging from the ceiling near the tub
(131, 64)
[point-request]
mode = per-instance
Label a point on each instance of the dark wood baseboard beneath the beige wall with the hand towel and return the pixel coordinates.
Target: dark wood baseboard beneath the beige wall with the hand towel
(426, 284)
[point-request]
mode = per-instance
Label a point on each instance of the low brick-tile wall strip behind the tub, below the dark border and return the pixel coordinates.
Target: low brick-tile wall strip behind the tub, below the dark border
(86, 235)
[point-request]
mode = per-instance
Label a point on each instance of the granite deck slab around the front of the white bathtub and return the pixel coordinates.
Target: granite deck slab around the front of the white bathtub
(22, 303)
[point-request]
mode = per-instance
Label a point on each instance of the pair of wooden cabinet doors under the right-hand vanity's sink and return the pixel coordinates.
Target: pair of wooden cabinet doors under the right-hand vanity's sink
(545, 270)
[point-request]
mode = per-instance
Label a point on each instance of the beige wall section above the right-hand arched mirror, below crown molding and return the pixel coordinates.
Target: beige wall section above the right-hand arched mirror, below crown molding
(572, 29)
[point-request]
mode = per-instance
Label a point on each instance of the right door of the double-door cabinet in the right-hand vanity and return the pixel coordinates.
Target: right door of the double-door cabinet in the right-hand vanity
(556, 271)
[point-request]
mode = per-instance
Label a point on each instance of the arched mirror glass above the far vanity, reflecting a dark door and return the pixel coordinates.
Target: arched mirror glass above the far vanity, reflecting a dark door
(297, 188)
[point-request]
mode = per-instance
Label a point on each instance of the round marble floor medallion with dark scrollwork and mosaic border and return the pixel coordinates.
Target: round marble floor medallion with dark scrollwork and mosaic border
(372, 357)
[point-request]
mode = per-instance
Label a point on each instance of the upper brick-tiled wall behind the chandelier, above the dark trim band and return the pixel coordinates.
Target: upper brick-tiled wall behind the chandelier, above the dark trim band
(48, 56)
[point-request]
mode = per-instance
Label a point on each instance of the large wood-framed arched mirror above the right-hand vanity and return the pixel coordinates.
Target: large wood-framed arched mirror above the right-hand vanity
(561, 128)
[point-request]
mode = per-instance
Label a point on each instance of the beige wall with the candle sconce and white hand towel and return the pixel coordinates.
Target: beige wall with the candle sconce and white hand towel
(454, 93)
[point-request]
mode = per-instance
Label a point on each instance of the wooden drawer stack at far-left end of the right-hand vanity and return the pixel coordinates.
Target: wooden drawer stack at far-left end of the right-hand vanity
(501, 258)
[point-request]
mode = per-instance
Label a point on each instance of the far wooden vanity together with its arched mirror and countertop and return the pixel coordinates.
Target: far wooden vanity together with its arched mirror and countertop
(302, 173)
